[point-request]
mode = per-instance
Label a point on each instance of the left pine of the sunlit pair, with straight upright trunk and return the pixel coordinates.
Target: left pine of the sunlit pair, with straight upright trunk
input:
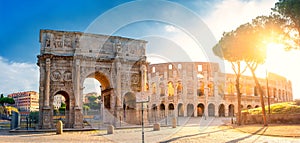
(229, 49)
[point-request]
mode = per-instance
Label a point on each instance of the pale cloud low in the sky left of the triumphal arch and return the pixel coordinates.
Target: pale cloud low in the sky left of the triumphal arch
(17, 77)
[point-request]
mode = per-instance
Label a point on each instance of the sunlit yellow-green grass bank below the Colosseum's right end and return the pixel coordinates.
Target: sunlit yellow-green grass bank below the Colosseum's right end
(277, 108)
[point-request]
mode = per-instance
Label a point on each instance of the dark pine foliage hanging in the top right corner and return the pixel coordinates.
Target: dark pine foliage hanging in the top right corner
(290, 10)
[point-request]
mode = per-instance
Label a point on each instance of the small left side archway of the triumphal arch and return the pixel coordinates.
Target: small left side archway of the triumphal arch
(65, 116)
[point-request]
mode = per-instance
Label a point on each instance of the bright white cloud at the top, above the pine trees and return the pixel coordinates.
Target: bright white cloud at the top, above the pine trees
(229, 14)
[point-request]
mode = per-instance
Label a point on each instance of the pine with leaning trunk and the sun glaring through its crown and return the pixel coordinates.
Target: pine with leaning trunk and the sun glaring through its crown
(262, 31)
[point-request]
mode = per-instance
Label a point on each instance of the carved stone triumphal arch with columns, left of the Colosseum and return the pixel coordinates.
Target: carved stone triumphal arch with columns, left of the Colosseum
(67, 58)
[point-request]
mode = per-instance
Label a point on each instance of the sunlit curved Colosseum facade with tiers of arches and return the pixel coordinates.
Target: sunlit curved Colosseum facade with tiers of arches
(199, 88)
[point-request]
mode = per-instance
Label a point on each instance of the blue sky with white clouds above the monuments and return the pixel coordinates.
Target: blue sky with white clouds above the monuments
(188, 27)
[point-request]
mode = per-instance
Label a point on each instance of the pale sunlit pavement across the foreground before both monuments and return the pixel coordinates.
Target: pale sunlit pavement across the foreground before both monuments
(196, 130)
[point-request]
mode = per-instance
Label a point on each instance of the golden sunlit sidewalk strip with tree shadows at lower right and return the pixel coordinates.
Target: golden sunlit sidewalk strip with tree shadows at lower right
(271, 130)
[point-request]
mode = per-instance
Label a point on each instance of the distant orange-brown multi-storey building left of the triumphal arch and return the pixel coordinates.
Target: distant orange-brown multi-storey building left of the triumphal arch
(26, 102)
